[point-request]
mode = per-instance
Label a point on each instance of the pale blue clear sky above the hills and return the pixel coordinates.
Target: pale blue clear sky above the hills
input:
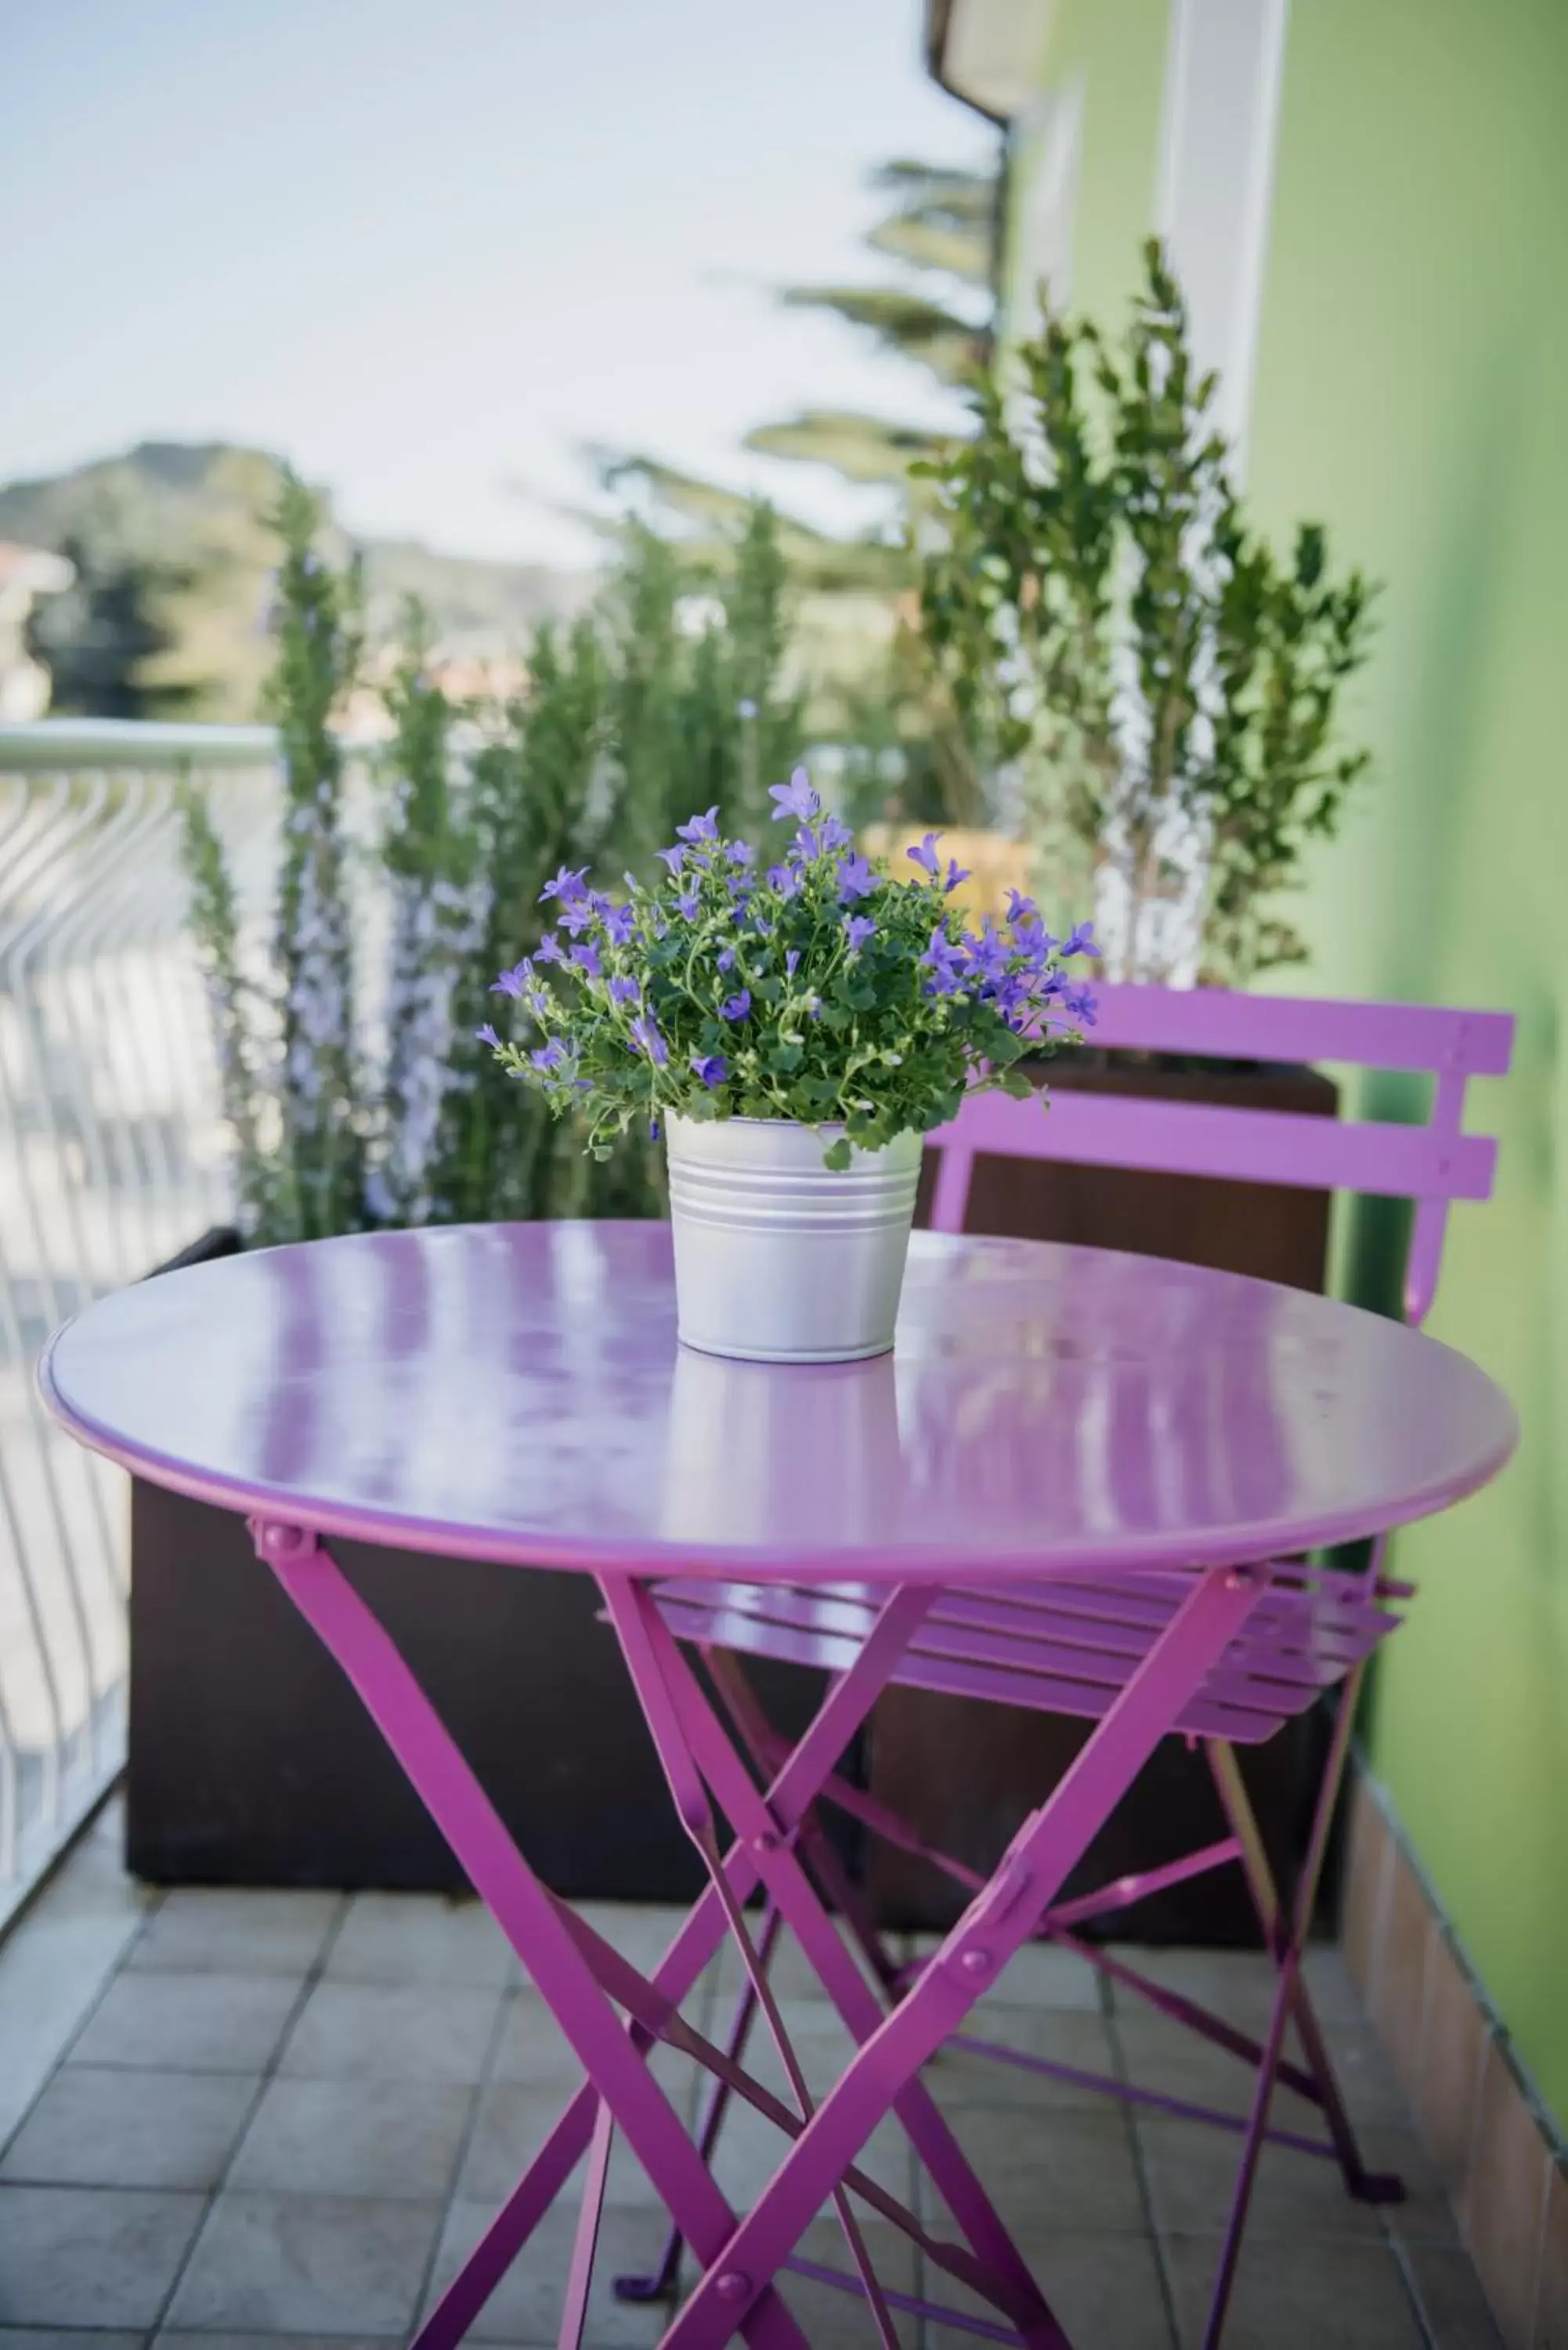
(429, 253)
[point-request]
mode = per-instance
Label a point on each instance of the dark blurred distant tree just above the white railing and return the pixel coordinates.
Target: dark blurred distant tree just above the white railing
(105, 636)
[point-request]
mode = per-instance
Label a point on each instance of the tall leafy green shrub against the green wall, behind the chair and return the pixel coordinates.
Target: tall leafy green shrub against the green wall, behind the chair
(1113, 626)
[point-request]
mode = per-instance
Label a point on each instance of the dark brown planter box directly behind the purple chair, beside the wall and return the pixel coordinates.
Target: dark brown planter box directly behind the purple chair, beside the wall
(967, 1773)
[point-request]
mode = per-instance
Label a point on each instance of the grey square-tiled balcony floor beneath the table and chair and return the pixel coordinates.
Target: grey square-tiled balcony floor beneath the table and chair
(248, 2116)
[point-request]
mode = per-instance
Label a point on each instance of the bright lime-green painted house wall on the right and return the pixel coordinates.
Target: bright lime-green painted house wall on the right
(1414, 394)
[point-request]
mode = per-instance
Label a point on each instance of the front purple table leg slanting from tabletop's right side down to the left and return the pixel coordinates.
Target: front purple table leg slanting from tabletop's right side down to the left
(974, 1954)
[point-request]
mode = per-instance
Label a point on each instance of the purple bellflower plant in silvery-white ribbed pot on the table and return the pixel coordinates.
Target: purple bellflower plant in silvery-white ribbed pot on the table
(793, 1030)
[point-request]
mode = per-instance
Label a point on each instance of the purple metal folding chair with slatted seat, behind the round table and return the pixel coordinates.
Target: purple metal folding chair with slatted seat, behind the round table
(1071, 1649)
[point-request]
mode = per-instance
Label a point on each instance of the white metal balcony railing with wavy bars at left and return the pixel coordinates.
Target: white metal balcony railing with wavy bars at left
(112, 1160)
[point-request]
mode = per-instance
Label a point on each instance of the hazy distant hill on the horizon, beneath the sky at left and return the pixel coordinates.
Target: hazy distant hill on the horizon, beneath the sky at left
(189, 518)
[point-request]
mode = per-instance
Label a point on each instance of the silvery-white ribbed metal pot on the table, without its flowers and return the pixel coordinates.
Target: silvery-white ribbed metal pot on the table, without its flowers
(779, 1258)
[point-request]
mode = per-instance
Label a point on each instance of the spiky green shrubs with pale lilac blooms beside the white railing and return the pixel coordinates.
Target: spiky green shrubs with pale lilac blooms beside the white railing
(669, 697)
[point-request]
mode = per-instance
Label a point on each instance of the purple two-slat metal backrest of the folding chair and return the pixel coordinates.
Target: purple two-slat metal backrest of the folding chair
(1426, 1164)
